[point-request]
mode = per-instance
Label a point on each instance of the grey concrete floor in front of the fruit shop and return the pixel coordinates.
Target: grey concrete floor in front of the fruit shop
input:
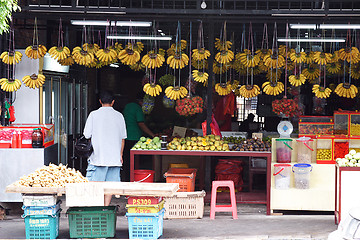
(253, 223)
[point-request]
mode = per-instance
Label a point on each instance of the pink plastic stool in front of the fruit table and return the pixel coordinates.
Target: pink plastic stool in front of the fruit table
(223, 208)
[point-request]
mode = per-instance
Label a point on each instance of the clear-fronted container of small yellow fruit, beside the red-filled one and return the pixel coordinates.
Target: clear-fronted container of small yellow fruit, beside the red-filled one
(324, 150)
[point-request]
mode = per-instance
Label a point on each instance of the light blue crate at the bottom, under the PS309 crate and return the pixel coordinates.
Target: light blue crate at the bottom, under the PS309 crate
(145, 225)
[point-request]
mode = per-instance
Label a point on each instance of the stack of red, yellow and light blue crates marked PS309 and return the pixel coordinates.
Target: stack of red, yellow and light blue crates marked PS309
(145, 217)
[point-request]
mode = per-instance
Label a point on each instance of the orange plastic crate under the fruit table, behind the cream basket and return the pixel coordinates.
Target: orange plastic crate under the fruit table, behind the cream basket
(184, 176)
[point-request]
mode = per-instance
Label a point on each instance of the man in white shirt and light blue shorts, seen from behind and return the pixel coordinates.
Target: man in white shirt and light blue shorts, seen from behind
(107, 130)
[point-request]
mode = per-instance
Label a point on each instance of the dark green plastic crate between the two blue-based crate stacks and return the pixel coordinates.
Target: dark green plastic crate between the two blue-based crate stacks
(92, 222)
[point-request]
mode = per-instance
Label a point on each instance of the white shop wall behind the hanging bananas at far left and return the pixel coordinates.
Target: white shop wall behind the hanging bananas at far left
(27, 99)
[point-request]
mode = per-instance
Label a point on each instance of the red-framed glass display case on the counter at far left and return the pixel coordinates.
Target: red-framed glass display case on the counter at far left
(26, 130)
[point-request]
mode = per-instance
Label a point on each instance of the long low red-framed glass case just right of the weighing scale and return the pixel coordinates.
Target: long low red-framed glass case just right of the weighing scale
(315, 128)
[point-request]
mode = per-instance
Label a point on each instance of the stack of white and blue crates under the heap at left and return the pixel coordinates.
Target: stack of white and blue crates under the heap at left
(42, 216)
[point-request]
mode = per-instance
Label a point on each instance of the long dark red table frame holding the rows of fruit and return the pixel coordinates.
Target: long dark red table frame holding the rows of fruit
(267, 155)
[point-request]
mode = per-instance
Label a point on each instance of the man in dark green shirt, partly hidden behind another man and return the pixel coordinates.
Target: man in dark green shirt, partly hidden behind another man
(135, 128)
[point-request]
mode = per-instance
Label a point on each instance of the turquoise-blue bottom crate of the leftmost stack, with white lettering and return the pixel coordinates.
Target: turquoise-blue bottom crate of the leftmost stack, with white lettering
(42, 226)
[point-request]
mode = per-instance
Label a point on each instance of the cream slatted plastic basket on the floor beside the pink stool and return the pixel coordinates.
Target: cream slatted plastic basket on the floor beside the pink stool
(185, 205)
